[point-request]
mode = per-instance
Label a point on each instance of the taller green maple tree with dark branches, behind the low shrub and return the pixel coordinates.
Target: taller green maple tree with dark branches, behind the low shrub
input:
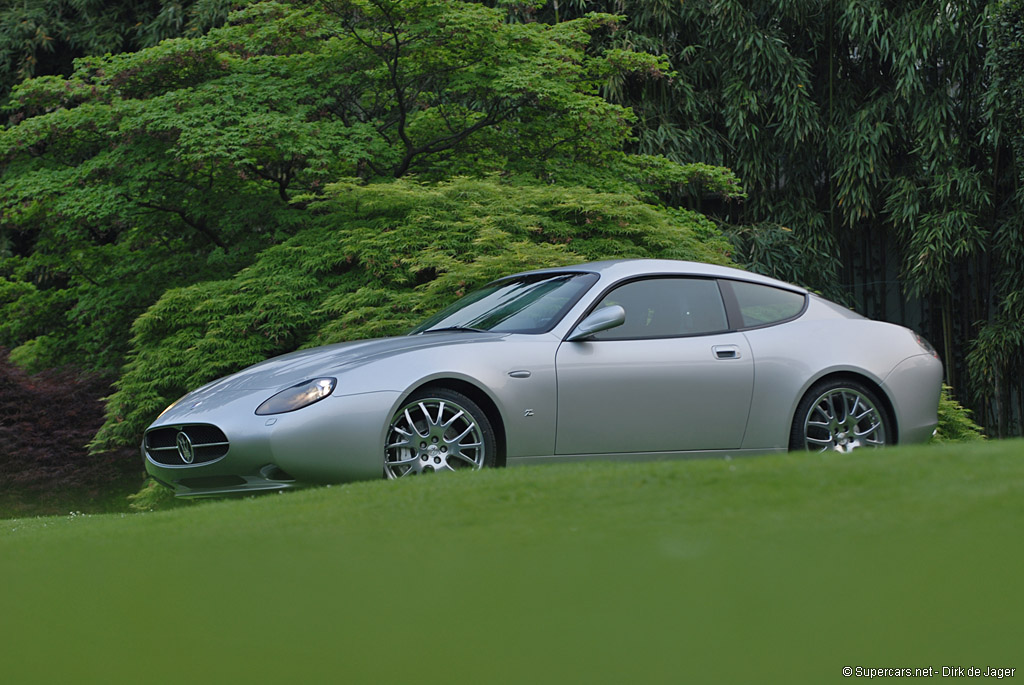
(178, 164)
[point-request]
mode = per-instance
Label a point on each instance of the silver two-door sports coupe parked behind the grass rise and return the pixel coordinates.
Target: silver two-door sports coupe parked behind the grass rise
(615, 360)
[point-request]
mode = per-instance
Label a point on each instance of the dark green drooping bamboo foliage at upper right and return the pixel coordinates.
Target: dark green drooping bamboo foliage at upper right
(836, 115)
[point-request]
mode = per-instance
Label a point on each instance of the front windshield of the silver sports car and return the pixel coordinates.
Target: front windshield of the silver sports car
(523, 305)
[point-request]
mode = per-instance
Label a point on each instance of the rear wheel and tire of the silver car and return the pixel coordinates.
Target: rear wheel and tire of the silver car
(841, 415)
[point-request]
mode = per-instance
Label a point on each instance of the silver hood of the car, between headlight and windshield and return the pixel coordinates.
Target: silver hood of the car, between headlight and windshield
(287, 370)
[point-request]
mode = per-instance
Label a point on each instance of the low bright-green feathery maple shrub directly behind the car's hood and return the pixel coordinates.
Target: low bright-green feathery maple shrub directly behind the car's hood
(374, 261)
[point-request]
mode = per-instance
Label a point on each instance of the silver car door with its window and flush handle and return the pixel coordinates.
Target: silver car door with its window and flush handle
(672, 378)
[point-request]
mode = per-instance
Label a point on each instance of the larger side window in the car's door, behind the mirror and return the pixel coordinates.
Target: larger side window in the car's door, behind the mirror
(667, 308)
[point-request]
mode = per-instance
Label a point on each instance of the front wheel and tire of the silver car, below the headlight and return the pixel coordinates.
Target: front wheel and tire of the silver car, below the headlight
(439, 431)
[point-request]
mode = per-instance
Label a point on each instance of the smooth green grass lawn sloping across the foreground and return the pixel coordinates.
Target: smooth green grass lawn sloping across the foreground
(780, 570)
